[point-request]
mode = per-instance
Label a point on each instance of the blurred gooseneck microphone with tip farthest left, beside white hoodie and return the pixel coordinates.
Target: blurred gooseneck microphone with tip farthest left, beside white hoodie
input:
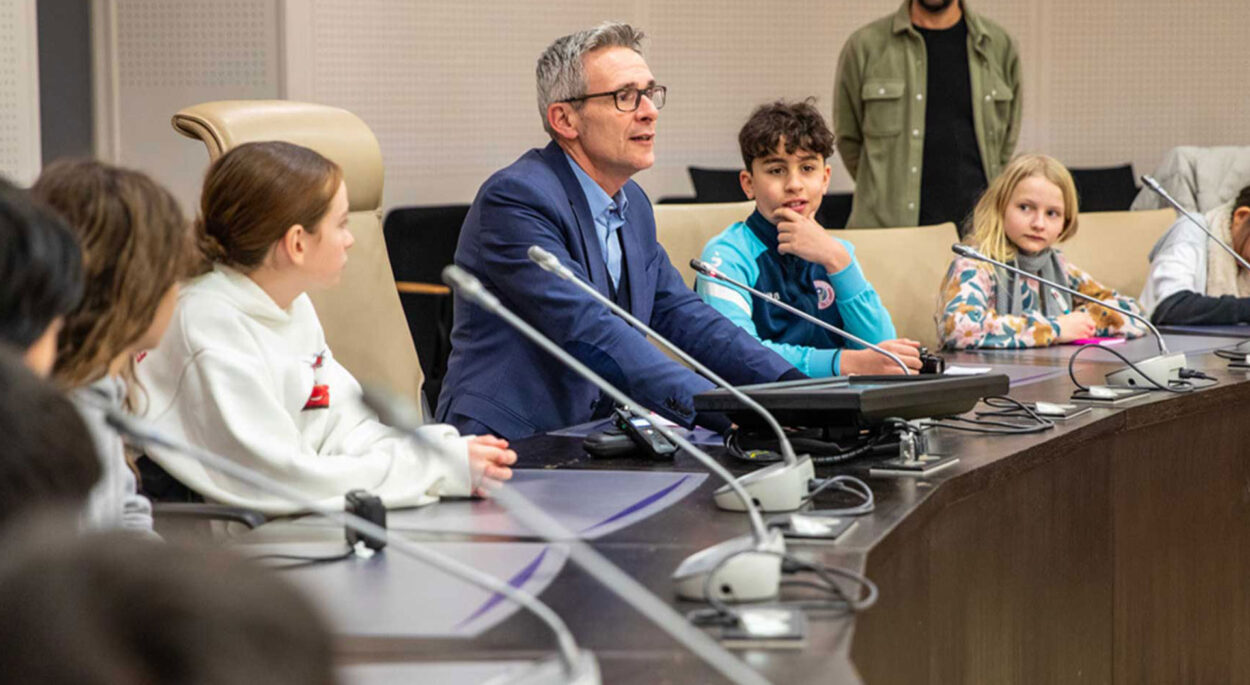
(578, 666)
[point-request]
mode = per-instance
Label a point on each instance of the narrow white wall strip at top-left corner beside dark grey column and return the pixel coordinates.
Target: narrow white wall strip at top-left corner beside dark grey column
(19, 92)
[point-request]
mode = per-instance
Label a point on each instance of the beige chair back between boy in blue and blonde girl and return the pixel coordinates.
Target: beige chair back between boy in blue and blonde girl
(907, 268)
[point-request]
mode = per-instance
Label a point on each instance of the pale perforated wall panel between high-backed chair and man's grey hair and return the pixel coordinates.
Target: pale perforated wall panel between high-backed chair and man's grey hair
(447, 87)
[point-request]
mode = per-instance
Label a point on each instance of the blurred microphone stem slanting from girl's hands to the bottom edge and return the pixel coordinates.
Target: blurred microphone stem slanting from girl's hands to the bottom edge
(402, 414)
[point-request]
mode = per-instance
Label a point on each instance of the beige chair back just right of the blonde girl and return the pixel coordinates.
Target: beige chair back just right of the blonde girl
(1114, 247)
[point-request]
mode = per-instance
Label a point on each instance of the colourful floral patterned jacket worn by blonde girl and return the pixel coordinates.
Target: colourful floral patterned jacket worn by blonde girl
(967, 317)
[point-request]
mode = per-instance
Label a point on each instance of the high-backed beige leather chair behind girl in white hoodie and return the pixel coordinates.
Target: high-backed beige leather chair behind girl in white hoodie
(363, 318)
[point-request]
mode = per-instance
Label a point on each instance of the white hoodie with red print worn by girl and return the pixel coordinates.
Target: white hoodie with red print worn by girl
(256, 383)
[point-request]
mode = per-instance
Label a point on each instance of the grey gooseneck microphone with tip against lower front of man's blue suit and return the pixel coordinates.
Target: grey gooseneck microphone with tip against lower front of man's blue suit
(737, 573)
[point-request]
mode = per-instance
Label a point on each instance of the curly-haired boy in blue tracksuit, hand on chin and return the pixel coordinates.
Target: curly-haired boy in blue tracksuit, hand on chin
(783, 251)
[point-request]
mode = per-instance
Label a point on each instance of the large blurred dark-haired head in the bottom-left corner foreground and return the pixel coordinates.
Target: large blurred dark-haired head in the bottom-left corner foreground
(113, 608)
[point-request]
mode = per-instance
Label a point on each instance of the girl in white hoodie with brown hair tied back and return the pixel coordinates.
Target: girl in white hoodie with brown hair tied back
(246, 371)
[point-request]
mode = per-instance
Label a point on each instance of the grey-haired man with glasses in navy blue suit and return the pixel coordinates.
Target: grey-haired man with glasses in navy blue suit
(576, 199)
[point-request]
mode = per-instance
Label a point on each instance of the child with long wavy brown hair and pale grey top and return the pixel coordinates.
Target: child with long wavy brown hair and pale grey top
(137, 247)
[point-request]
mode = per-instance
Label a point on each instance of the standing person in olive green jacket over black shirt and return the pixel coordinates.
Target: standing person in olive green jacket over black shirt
(927, 111)
